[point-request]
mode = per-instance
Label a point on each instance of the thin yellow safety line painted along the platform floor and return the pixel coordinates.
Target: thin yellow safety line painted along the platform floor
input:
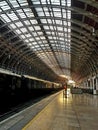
(36, 116)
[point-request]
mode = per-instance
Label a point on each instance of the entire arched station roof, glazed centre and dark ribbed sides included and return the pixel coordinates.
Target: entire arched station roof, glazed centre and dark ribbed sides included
(49, 38)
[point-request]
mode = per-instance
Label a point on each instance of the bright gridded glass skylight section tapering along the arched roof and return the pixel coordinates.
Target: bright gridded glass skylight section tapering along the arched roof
(44, 26)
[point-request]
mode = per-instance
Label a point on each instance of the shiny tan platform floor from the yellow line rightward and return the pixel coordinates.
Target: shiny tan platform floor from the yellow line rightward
(76, 112)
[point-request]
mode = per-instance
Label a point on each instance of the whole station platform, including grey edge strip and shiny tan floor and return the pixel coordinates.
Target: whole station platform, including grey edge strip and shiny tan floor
(76, 112)
